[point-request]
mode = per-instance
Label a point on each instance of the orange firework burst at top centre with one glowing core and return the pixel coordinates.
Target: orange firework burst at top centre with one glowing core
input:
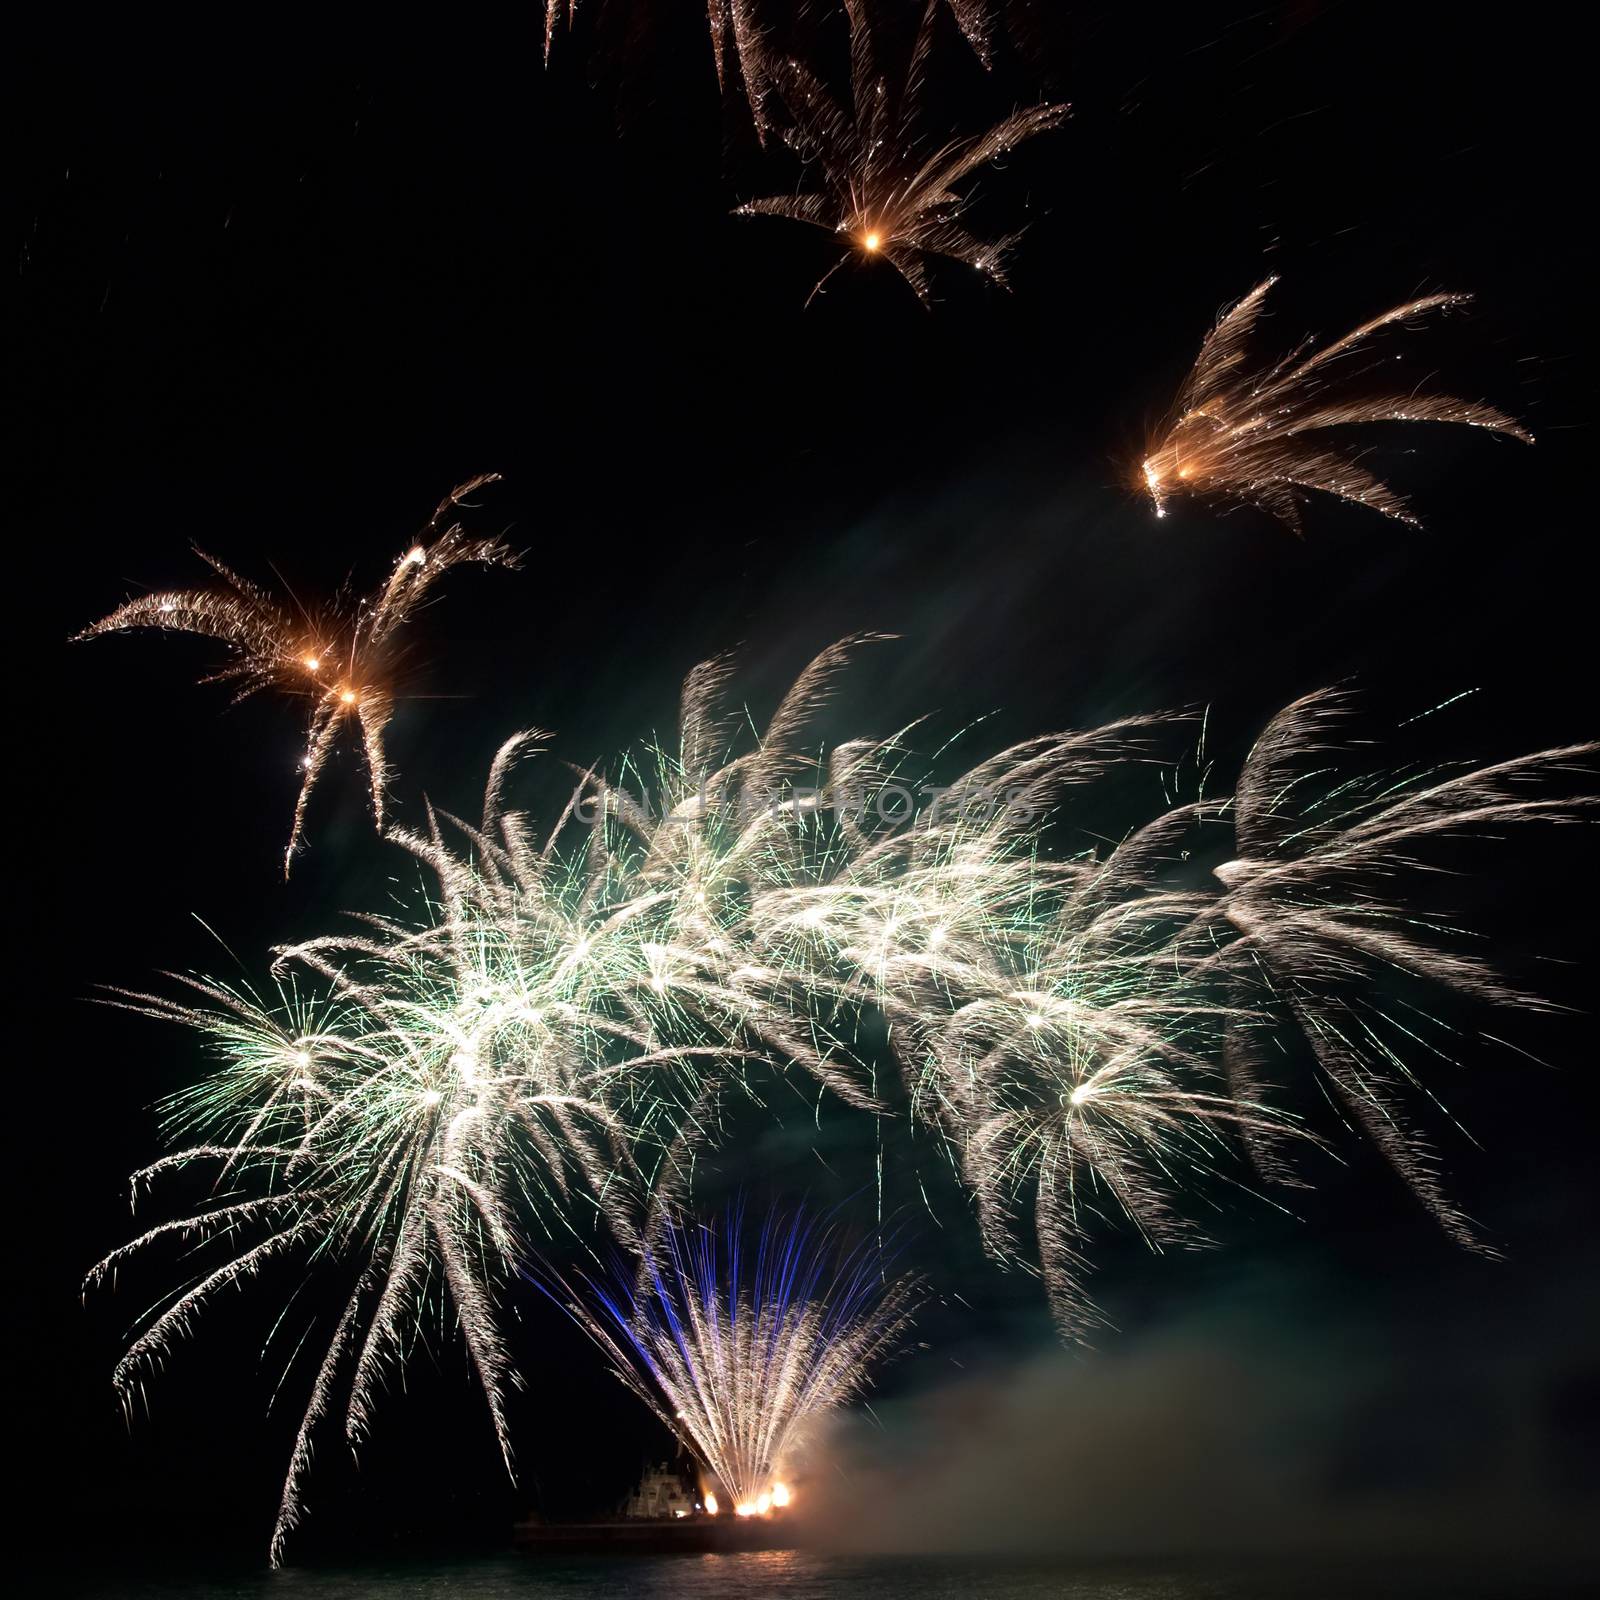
(881, 190)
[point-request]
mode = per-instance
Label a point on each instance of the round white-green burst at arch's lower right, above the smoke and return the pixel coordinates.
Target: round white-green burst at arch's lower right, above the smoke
(1081, 1068)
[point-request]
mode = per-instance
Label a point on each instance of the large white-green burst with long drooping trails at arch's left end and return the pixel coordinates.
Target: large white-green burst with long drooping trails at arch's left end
(458, 1076)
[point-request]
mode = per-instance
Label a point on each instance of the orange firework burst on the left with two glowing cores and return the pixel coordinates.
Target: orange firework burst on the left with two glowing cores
(345, 658)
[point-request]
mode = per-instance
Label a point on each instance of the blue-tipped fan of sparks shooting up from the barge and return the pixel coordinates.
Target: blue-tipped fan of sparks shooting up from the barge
(742, 1361)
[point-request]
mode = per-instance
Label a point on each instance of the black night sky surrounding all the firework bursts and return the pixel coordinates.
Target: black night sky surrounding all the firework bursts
(284, 279)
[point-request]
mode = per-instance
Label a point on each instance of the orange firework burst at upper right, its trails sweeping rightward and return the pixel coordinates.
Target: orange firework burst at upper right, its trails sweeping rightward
(1242, 433)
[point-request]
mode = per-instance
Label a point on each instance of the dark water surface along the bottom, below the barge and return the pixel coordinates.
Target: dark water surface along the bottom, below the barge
(799, 1575)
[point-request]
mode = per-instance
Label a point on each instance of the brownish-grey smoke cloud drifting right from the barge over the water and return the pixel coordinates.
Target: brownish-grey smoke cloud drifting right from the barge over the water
(1270, 1428)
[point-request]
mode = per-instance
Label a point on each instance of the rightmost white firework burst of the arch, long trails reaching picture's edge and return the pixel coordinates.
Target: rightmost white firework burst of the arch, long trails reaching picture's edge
(1314, 927)
